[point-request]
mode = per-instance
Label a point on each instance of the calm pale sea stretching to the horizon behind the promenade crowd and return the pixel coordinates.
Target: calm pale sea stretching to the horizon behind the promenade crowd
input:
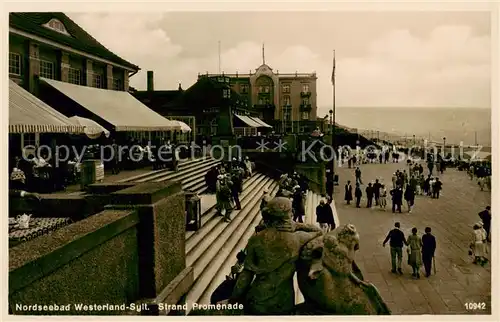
(467, 125)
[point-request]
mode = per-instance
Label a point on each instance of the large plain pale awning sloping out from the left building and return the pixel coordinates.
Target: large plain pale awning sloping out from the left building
(118, 108)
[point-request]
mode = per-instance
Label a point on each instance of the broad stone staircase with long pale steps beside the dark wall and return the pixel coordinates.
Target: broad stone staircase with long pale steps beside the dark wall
(212, 250)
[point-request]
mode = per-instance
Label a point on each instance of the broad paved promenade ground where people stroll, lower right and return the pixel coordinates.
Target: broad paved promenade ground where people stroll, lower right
(451, 217)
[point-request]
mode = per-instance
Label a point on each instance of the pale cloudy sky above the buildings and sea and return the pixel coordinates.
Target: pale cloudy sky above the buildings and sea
(383, 59)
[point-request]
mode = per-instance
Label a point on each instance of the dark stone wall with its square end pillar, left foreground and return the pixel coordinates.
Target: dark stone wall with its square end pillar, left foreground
(132, 252)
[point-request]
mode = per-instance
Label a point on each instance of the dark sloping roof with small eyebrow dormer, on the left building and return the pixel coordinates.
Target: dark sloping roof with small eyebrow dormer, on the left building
(32, 22)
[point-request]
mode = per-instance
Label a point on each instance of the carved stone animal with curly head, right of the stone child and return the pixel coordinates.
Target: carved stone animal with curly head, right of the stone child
(328, 282)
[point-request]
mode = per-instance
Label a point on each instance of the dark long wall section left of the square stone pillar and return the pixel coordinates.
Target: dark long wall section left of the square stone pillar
(94, 261)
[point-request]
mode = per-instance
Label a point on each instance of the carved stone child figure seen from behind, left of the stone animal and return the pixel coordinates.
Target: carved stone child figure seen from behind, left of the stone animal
(265, 286)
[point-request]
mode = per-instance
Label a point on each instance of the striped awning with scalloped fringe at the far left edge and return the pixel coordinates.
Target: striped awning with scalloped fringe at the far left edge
(28, 114)
